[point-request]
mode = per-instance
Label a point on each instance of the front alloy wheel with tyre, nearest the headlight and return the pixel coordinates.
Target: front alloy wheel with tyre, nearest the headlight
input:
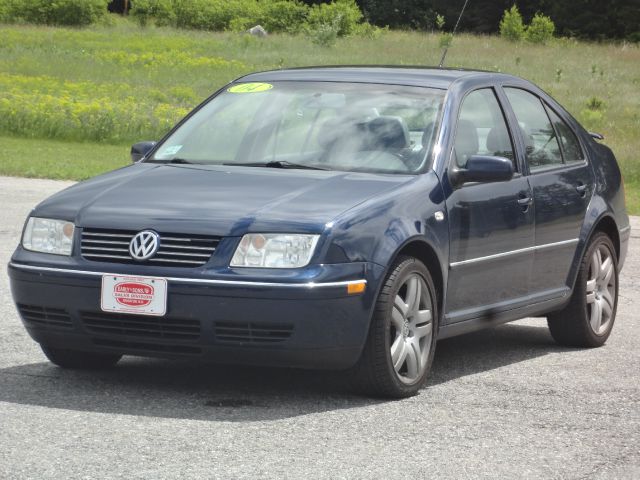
(399, 350)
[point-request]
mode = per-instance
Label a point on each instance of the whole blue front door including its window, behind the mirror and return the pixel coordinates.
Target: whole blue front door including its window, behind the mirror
(491, 224)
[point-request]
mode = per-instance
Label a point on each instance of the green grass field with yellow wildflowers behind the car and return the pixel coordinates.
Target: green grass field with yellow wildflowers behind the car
(72, 101)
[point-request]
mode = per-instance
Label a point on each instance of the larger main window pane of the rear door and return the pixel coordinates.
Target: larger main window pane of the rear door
(541, 145)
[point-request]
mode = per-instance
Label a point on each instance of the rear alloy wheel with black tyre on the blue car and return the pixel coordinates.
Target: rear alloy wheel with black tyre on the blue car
(588, 319)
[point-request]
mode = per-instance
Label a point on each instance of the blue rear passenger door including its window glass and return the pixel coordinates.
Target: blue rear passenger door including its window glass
(562, 182)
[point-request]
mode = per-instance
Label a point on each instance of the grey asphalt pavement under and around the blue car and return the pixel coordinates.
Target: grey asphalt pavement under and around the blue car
(502, 403)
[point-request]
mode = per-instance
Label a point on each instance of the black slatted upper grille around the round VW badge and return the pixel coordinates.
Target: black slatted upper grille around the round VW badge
(176, 249)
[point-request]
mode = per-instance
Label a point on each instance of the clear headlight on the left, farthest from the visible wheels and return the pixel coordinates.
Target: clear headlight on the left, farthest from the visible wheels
(48, 236)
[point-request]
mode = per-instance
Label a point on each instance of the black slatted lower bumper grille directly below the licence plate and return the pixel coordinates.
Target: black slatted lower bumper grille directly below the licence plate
(140, 326)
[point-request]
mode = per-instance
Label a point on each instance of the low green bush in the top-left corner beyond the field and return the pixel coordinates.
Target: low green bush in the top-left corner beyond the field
(58, 12)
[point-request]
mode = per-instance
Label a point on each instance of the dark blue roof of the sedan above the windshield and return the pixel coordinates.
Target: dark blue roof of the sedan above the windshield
(414, 76)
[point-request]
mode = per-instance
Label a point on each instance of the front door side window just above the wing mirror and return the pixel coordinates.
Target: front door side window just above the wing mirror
(482, 129)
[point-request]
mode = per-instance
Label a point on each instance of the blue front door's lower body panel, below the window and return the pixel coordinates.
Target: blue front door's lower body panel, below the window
(492, 237)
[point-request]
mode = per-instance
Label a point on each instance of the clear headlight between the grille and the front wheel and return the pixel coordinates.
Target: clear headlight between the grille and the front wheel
(274, 250)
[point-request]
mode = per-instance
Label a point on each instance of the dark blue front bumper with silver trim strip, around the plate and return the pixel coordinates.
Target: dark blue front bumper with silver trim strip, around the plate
(240, 321)
